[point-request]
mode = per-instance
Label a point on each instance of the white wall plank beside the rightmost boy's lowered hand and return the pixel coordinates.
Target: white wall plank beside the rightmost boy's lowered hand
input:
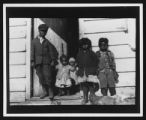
(127, 79)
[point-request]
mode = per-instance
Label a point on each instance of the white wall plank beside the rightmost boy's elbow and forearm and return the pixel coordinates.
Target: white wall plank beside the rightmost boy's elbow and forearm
(125, 65)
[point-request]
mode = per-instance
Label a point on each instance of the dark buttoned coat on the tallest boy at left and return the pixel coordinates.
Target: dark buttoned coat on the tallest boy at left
(43, 53)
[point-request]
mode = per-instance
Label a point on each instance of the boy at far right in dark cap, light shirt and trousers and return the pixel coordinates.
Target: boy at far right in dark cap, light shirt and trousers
(106, 68)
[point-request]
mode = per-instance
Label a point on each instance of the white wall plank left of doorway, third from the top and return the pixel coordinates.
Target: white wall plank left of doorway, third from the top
(17, 45)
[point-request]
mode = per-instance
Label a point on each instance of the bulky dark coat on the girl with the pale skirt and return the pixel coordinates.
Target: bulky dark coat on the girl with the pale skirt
(87, 62)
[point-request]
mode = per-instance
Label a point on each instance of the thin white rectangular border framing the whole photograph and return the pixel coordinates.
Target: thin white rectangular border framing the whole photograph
(5, 114)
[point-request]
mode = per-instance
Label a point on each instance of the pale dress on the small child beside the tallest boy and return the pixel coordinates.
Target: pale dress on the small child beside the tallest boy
(63, 77)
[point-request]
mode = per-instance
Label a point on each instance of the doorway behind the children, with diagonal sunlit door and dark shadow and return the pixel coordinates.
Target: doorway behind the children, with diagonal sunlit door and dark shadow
(63, 33)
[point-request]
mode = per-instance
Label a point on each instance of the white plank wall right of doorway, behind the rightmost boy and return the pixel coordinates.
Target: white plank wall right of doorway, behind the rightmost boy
(122, 37)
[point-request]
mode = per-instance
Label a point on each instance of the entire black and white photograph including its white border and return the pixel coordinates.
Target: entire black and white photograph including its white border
(64, 58)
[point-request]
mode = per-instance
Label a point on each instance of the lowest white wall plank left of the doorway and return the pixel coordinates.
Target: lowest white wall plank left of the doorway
(17, 96)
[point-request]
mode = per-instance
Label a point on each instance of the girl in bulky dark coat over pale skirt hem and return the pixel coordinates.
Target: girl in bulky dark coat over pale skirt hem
(87, 63)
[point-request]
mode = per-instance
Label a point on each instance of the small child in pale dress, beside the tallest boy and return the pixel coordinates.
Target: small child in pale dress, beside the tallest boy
(63, 79)
